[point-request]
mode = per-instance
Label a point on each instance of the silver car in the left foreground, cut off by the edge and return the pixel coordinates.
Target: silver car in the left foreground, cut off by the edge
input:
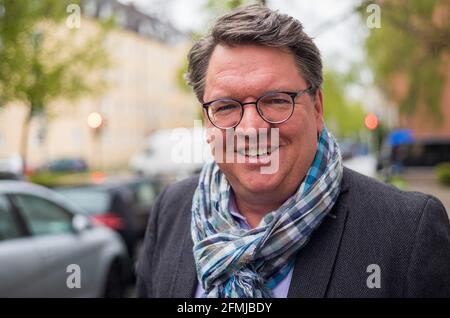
(49, 248)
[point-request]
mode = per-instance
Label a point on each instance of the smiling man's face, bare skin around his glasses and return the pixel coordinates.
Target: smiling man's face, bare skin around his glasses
(245, 73)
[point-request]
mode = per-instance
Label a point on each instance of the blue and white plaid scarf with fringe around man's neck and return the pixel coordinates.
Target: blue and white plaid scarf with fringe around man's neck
(236, 262)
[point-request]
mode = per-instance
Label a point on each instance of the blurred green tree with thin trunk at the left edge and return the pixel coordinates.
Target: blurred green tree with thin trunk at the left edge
(43, 56)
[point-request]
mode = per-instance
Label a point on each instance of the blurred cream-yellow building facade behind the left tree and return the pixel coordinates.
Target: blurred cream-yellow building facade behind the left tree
(142, 96)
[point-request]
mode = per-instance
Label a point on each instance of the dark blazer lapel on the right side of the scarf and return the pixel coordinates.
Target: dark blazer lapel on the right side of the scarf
(314, 263)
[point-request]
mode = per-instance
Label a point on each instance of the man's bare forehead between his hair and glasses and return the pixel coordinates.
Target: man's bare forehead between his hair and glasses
(250, 70)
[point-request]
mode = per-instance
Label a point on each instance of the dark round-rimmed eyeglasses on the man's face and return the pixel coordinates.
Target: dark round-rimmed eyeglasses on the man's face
(273, 107)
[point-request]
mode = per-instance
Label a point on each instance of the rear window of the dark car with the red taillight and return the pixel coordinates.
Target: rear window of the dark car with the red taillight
(92, 201)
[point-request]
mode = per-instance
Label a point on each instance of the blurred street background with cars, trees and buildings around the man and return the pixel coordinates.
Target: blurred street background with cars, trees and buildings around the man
(91, 92)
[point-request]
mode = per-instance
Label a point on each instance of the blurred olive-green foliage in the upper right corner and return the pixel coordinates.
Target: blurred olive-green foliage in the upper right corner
(411, 44)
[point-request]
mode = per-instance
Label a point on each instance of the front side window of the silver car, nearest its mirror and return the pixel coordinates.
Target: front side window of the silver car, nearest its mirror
(42, 216)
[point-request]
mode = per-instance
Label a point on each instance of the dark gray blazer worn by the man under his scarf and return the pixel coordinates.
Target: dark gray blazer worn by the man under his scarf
(406, 235)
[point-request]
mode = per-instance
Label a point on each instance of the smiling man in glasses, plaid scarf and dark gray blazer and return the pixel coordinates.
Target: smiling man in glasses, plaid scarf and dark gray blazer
(310, 228)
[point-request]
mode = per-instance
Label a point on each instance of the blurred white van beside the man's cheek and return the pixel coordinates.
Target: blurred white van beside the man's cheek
(178, 153)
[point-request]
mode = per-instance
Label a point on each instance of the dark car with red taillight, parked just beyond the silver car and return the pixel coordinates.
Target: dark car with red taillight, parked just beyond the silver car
(123, 206)
